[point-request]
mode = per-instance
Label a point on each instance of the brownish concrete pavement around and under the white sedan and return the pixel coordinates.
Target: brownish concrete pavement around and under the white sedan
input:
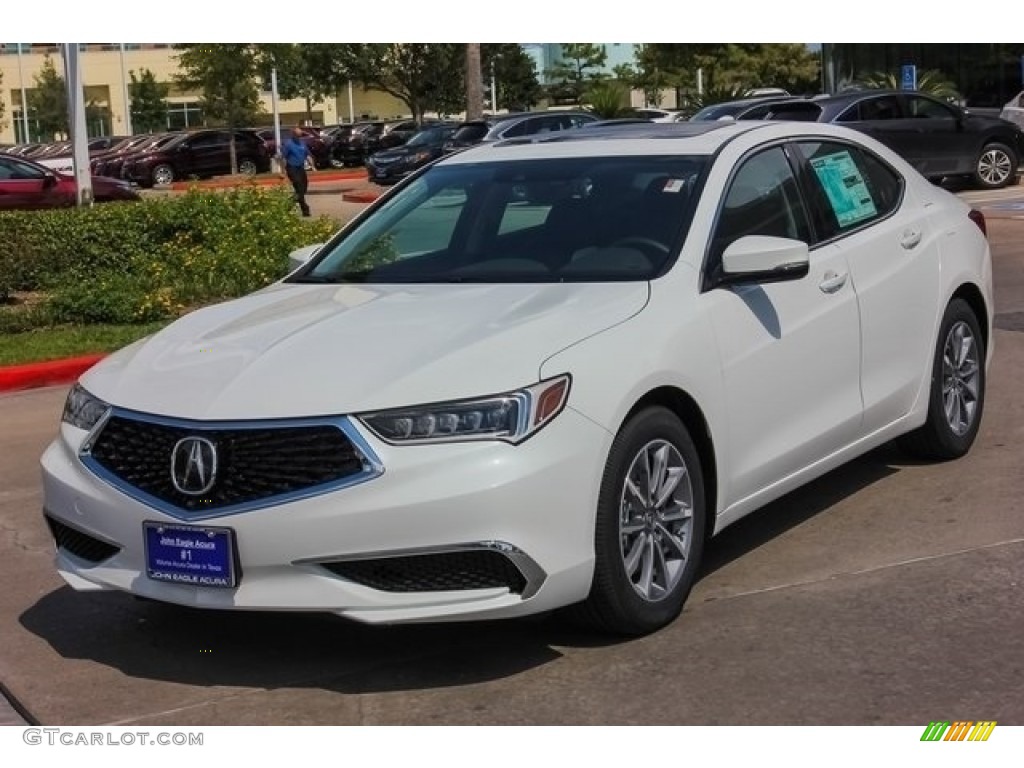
(887, 592)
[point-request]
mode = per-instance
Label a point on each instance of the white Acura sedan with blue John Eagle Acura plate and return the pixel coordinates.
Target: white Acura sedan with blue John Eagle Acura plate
(538, 374)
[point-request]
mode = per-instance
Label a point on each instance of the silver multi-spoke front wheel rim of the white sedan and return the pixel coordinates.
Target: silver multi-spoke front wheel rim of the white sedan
(657, 521)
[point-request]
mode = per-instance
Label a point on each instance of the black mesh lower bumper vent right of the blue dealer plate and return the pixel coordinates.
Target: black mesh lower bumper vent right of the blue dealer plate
(472, 570)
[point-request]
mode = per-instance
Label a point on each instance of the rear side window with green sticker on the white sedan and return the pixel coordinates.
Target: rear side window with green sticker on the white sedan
(852, 188)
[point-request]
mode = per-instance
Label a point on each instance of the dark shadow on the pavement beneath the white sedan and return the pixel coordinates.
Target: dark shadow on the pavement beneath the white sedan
(252, 650)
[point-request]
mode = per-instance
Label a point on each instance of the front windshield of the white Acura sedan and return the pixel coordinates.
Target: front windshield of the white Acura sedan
(553, 221)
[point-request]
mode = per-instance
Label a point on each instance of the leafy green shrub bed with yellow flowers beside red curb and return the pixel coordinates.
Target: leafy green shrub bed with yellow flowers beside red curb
(145, 262)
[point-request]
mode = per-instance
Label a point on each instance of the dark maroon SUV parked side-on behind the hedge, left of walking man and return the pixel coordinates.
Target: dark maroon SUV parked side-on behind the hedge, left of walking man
(202, 154)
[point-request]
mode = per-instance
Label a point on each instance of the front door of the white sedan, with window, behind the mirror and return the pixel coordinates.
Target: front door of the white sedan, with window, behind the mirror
(790, 351)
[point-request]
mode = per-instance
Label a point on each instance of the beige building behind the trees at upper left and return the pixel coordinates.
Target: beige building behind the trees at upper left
(105, 72)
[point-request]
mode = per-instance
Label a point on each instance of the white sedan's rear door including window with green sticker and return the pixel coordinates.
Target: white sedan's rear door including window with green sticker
(865, 208)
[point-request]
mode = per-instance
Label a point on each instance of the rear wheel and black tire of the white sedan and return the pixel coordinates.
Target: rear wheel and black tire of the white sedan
(957, 398)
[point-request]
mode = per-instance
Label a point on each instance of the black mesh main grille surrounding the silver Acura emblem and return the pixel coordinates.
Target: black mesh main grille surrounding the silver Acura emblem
(252, 463)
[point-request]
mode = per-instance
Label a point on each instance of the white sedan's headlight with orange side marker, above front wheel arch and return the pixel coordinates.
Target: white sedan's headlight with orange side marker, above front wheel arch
(513, 417)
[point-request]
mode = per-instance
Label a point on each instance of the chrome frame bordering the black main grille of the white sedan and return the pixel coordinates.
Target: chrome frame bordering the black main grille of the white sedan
(372, 466)
